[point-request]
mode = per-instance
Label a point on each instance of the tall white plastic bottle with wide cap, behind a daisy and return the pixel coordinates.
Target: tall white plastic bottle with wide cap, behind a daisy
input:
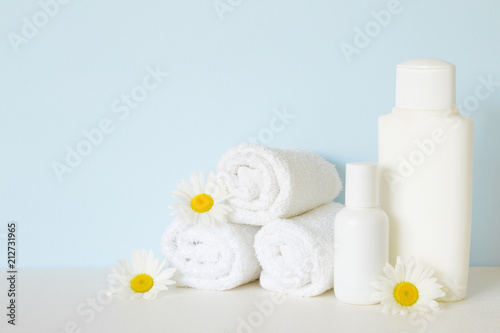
(425, 155)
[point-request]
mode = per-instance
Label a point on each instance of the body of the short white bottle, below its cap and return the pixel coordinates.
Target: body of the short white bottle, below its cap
(361, 240)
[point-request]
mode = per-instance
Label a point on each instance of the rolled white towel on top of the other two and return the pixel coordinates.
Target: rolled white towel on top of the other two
(268, 183)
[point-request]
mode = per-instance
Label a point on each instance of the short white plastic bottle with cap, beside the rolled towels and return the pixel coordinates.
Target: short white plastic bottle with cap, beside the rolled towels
(361, 237)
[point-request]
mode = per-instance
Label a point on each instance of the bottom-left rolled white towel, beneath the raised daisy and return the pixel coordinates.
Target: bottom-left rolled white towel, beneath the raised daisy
(217, 257)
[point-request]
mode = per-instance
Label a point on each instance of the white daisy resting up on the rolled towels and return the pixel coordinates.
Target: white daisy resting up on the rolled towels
(201, 202)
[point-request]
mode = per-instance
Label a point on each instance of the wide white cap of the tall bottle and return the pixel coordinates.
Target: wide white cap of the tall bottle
(425, 84)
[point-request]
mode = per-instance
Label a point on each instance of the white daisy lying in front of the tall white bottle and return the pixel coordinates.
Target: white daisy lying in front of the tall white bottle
(407, 288)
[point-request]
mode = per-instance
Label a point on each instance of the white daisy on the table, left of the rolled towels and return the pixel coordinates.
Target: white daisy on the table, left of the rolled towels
(141, 278)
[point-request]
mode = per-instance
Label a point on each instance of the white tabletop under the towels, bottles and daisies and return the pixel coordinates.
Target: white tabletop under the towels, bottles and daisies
(71, 300)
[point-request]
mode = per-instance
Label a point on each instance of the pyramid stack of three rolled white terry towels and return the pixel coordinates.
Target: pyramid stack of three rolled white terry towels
(287, 194)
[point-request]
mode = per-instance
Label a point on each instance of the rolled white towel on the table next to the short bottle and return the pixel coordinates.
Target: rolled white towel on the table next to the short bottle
(296, 254)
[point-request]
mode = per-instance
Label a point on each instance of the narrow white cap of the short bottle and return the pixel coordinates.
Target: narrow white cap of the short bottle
(361, 189)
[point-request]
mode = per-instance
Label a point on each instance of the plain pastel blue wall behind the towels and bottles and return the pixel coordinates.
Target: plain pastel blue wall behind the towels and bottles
(229, 70)
